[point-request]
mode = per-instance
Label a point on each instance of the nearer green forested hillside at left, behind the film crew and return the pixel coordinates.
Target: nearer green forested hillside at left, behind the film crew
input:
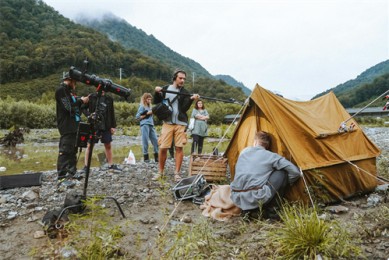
(39, 44)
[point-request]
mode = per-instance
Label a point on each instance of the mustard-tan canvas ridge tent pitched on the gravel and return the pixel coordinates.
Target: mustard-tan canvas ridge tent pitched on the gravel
(335, 164)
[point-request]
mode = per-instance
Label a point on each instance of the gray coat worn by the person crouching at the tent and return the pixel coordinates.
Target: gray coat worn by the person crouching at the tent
(253, 169)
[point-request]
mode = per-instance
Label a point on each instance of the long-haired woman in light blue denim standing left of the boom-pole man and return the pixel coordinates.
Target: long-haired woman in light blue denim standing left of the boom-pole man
(146, 122)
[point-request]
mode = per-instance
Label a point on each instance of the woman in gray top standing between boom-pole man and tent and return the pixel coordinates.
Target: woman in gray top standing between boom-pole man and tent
(200, 129)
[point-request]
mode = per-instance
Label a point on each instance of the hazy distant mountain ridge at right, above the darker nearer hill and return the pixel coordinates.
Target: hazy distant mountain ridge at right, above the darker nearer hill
(365, 77)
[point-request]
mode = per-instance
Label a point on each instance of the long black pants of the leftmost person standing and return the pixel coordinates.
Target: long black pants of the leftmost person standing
(67, 156)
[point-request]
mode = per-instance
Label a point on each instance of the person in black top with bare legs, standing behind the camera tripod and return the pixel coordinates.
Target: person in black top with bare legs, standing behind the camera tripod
(105, 124)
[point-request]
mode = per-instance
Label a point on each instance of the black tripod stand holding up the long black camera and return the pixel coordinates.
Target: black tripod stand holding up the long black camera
(88, 132)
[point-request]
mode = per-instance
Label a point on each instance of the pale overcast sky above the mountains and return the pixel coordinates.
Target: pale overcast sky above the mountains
(296, 48)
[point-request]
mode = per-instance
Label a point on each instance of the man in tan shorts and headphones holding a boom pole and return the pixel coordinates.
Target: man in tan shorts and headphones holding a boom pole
(175, 125)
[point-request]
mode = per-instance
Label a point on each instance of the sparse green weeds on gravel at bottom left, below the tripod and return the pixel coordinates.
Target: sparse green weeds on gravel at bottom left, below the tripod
(92, 235)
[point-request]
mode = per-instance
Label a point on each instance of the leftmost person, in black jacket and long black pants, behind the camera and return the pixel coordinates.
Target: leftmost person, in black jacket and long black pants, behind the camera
(68, 117)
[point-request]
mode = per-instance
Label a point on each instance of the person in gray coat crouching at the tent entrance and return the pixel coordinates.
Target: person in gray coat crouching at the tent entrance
(261, 178)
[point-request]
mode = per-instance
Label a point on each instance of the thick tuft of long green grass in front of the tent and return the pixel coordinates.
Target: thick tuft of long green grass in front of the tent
(304, 235)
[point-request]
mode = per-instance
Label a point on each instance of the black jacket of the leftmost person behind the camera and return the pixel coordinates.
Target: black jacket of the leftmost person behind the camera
(67, 109)
